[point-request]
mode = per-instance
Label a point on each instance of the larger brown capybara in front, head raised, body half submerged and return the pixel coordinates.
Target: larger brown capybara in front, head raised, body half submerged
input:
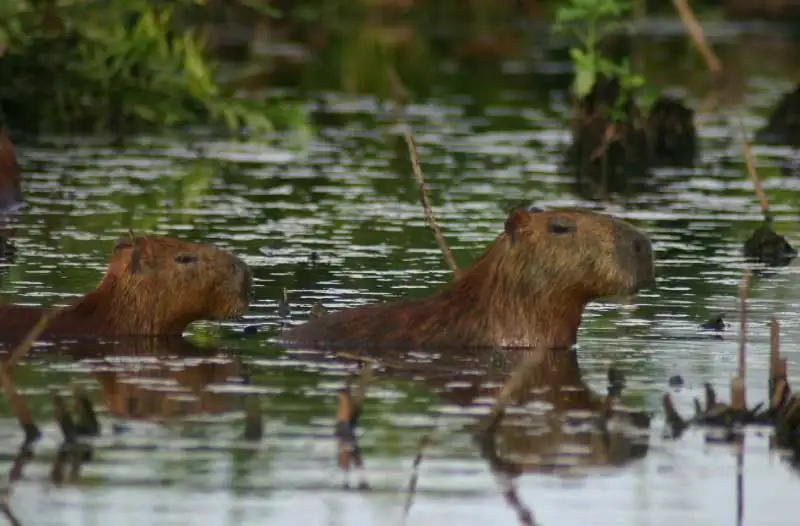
(528, 288)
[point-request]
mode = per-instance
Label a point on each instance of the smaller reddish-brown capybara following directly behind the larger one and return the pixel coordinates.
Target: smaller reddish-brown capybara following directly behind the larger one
(153, 286)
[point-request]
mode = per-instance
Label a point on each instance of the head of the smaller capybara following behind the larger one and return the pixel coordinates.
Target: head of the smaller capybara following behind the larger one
(158, 285)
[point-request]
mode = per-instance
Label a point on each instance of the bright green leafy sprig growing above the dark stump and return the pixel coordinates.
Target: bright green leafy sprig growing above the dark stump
(589, 21)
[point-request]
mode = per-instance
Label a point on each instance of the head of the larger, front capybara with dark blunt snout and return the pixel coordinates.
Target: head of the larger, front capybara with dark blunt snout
(589, 255)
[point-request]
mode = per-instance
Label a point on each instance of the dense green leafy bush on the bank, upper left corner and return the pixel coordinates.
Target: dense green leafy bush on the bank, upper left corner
(115, 65)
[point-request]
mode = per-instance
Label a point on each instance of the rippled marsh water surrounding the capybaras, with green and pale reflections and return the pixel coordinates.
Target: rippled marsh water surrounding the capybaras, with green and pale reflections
(333, 216)
